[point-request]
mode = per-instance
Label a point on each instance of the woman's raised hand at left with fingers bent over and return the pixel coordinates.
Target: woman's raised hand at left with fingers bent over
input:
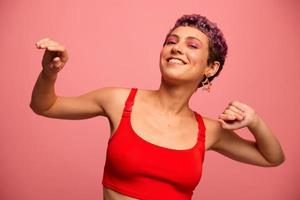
(55, 56)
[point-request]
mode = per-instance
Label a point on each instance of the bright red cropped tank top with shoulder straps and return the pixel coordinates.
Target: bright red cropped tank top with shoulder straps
(139, 169)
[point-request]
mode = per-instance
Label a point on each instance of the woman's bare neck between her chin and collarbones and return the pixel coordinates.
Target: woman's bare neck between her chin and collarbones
(174, 99)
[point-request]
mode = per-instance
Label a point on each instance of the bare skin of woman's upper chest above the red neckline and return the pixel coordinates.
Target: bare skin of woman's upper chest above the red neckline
(169, 132)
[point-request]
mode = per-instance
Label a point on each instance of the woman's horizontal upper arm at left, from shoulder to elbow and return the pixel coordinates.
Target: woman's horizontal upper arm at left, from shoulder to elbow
(88, 105)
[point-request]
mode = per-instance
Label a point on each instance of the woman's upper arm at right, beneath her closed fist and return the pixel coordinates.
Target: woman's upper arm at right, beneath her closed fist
(228, 143)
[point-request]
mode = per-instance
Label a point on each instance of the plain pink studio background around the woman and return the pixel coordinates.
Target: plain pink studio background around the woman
(117, 43)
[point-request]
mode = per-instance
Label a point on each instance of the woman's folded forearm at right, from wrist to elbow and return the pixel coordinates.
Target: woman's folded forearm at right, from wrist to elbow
(266, 142)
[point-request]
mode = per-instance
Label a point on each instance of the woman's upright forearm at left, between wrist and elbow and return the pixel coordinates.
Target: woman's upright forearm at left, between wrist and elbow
(43, 94)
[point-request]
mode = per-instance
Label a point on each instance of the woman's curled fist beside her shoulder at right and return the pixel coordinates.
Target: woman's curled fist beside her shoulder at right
(237, 115)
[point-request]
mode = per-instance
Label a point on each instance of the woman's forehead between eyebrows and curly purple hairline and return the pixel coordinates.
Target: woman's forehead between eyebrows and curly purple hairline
(187, 32)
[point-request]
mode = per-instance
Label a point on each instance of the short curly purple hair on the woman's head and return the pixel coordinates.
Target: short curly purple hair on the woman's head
(217, 47)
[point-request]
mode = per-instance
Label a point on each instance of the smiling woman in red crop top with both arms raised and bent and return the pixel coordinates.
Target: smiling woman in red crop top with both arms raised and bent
(157, 142)
